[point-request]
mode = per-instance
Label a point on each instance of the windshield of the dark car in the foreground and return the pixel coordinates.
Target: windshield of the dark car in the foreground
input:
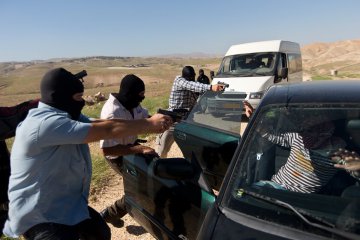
(288, 157)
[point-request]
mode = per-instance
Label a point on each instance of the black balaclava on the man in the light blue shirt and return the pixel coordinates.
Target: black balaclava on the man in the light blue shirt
(57, 89)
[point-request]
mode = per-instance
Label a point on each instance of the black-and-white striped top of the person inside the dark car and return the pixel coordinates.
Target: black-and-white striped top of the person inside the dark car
(306, 170)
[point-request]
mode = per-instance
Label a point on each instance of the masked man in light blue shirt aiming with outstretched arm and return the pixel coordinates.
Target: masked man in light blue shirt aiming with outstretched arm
(51, 164)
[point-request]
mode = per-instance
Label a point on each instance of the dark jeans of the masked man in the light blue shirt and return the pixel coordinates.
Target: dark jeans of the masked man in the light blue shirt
(94, 228)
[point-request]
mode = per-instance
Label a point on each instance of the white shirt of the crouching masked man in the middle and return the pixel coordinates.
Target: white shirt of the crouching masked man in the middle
(114, 109)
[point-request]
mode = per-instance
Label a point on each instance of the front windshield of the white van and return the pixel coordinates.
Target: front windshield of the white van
(250, 64)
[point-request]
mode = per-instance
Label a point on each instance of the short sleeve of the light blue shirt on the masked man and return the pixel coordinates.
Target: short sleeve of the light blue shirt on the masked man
(60, 130)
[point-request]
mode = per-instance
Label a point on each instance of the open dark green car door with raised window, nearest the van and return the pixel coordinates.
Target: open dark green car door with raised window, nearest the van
(208, 140)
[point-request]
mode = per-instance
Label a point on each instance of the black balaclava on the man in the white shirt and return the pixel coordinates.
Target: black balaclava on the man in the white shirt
(130, 87)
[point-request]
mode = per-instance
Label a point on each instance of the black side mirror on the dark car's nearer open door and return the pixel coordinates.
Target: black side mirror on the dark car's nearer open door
(173, 168)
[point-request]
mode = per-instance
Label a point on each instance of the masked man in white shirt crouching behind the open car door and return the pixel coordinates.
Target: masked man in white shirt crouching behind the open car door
(123, 105)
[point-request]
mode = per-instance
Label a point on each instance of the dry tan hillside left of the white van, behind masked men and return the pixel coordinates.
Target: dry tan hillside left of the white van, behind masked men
(19, 81)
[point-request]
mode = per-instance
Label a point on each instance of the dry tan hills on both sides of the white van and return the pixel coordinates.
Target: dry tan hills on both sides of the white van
(20, 80)
